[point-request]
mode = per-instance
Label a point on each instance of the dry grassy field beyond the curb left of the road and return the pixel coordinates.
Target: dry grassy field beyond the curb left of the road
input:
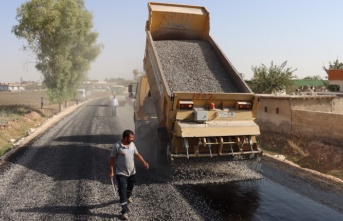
(21, 111)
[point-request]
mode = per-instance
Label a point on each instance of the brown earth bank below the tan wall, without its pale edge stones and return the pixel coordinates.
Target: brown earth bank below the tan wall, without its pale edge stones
(325, 157)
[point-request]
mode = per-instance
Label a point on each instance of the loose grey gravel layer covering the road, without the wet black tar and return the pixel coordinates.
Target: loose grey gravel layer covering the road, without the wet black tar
(63, 175)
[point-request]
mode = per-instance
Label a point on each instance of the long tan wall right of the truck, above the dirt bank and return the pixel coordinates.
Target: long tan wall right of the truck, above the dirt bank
(307, 115)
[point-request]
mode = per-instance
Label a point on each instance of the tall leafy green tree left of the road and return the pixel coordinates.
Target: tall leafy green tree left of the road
(59, 33)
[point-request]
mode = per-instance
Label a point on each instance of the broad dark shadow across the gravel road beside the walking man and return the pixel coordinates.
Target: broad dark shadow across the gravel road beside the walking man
(71, 158)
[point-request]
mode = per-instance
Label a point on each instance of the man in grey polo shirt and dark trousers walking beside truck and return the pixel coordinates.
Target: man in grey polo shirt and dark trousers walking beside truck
(123, 167)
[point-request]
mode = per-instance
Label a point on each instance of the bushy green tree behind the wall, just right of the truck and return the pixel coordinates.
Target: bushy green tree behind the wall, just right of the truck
(275, 78)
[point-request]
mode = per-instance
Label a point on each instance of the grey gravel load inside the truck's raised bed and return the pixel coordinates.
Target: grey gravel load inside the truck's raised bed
(192, 66)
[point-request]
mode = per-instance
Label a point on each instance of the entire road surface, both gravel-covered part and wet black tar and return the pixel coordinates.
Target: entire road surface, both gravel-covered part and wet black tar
(63, 175)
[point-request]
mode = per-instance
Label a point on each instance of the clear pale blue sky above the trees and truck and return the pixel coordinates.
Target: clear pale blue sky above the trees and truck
(306, 33)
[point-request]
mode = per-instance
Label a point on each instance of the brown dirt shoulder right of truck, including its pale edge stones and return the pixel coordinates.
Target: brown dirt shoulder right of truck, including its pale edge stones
(306, 155)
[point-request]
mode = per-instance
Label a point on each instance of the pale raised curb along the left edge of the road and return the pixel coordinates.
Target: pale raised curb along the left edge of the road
(46, 125)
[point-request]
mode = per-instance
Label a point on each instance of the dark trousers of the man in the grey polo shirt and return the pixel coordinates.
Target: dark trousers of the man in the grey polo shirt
(125, 187)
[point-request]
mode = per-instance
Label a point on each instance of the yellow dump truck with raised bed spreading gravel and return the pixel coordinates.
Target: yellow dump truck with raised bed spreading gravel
(192, 102)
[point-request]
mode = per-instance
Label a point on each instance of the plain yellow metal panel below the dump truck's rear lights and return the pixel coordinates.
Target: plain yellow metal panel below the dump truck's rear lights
(216, 128)
